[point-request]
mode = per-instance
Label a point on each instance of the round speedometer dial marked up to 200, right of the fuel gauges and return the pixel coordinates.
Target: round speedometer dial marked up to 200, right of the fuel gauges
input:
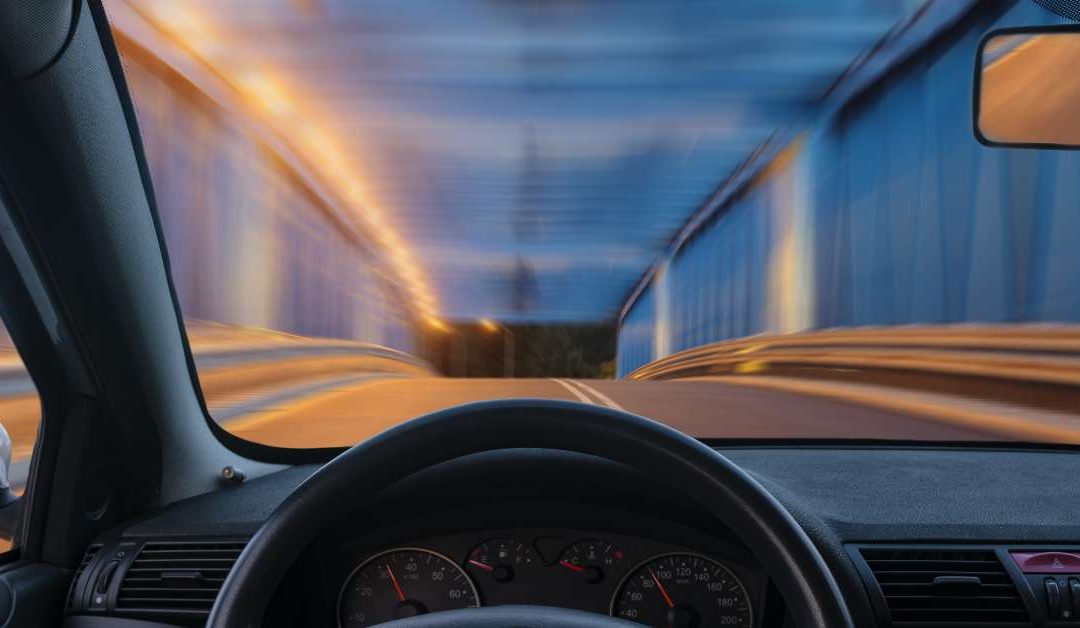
(683, 591)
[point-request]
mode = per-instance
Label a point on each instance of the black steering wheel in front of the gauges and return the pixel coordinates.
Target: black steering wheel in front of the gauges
(715, 484)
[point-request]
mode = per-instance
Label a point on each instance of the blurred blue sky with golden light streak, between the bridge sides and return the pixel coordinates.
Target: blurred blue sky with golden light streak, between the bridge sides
(531, 144)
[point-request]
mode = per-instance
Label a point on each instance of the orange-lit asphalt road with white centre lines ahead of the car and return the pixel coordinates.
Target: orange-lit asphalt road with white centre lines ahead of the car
(350, 412)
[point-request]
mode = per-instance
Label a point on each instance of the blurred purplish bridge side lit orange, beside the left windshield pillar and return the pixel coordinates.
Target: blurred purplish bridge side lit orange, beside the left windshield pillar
(268, 239)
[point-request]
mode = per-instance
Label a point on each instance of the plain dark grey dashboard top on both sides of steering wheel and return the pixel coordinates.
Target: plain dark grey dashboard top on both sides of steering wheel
(859, 495)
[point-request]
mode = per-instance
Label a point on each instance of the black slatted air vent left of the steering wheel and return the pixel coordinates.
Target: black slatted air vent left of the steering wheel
(177, 580)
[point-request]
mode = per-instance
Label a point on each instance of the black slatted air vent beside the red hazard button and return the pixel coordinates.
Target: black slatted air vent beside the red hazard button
(931, 587)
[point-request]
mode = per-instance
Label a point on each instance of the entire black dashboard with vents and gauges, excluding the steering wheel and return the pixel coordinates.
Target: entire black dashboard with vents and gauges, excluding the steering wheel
(871, 511)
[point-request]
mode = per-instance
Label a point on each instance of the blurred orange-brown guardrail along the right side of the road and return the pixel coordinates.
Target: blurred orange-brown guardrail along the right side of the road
(1028, 365)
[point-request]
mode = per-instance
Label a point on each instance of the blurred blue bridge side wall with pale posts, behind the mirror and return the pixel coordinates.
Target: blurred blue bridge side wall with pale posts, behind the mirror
(885, 211)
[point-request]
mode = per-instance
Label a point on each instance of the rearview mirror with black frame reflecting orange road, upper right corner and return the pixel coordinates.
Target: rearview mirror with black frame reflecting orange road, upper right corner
(1028, 90)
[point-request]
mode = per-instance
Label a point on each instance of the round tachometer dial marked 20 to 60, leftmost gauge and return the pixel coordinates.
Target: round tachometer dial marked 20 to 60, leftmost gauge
(403, 583)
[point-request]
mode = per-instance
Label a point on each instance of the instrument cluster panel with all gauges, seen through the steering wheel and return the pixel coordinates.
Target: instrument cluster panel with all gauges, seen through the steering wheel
(641, 580)
